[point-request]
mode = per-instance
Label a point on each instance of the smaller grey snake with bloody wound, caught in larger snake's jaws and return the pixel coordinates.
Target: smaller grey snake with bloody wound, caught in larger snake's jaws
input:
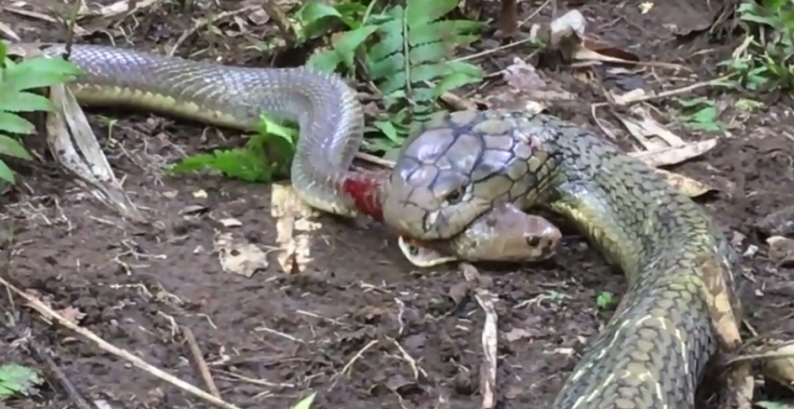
(331, 125)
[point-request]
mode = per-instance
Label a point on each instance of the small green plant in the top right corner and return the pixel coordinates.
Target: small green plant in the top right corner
(764, 62)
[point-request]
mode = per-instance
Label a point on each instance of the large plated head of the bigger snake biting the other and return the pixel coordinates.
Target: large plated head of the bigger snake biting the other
(454, 171)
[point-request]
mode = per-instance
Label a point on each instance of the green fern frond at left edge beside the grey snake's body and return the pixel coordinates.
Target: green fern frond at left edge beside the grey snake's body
(16, 82)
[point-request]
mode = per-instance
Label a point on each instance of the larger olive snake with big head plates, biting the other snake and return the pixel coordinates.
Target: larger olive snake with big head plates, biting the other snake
(653, 352)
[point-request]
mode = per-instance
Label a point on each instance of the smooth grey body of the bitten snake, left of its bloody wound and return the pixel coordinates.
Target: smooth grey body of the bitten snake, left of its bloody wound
(326, 109)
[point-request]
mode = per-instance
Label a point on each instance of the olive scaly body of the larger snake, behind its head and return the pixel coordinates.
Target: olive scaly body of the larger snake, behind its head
(654, 350)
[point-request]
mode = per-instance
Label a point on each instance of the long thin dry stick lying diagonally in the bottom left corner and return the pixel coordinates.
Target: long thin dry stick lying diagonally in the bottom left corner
(48, 313)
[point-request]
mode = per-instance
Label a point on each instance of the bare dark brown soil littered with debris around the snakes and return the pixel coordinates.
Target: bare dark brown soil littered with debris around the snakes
(361, 326)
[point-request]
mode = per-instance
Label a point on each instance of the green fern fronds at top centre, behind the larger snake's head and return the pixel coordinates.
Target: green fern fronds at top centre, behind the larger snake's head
(405, 51)
